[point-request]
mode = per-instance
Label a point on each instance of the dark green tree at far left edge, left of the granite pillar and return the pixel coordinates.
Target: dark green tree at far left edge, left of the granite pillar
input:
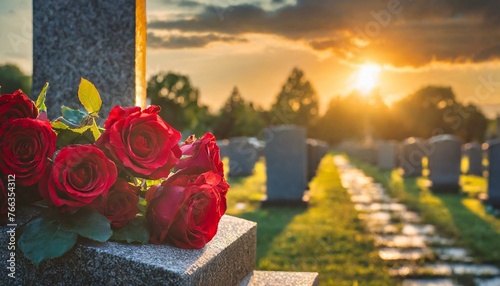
(12, 79)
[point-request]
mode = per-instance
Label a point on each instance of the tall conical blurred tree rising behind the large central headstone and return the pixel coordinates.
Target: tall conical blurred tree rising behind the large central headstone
(297, 103)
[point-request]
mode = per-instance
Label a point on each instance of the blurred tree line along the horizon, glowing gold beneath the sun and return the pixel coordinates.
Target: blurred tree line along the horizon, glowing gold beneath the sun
(429, 111)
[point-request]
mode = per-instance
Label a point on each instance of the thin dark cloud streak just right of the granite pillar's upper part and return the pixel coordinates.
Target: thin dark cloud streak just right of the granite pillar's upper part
(193, 41)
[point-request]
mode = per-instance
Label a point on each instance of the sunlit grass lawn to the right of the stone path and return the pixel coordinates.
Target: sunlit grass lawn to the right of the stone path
(461, 216)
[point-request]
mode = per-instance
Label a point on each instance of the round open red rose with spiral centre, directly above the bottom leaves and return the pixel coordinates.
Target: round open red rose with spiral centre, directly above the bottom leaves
(80, 174)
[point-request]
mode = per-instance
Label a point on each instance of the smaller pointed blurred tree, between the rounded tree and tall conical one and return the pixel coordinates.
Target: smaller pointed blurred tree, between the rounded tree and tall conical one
(238, 118)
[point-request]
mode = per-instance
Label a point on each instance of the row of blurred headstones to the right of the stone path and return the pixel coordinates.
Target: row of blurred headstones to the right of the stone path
(444, 154)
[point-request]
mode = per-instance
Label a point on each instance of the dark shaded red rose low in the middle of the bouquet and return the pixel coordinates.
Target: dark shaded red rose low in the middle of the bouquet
(120, 206)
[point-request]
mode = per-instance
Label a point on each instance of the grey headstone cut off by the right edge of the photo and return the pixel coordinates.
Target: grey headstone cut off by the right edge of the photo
(493, 150)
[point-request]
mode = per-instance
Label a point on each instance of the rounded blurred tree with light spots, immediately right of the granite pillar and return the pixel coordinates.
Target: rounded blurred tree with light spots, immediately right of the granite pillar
(179, 103)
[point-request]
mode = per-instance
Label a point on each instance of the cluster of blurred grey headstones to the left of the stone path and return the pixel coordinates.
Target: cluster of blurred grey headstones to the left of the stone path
(291, 160)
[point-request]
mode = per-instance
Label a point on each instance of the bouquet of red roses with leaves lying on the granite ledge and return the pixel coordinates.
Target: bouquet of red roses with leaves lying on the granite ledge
(130, 181)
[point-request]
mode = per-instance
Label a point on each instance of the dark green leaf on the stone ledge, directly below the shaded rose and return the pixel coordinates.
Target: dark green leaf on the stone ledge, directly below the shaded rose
(88, 223)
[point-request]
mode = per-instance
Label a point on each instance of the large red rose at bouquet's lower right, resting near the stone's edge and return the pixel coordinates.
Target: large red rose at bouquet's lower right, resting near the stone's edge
(185, 210)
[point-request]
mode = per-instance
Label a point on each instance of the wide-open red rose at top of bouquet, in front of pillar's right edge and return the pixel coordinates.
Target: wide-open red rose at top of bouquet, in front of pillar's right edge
(140, 142)
